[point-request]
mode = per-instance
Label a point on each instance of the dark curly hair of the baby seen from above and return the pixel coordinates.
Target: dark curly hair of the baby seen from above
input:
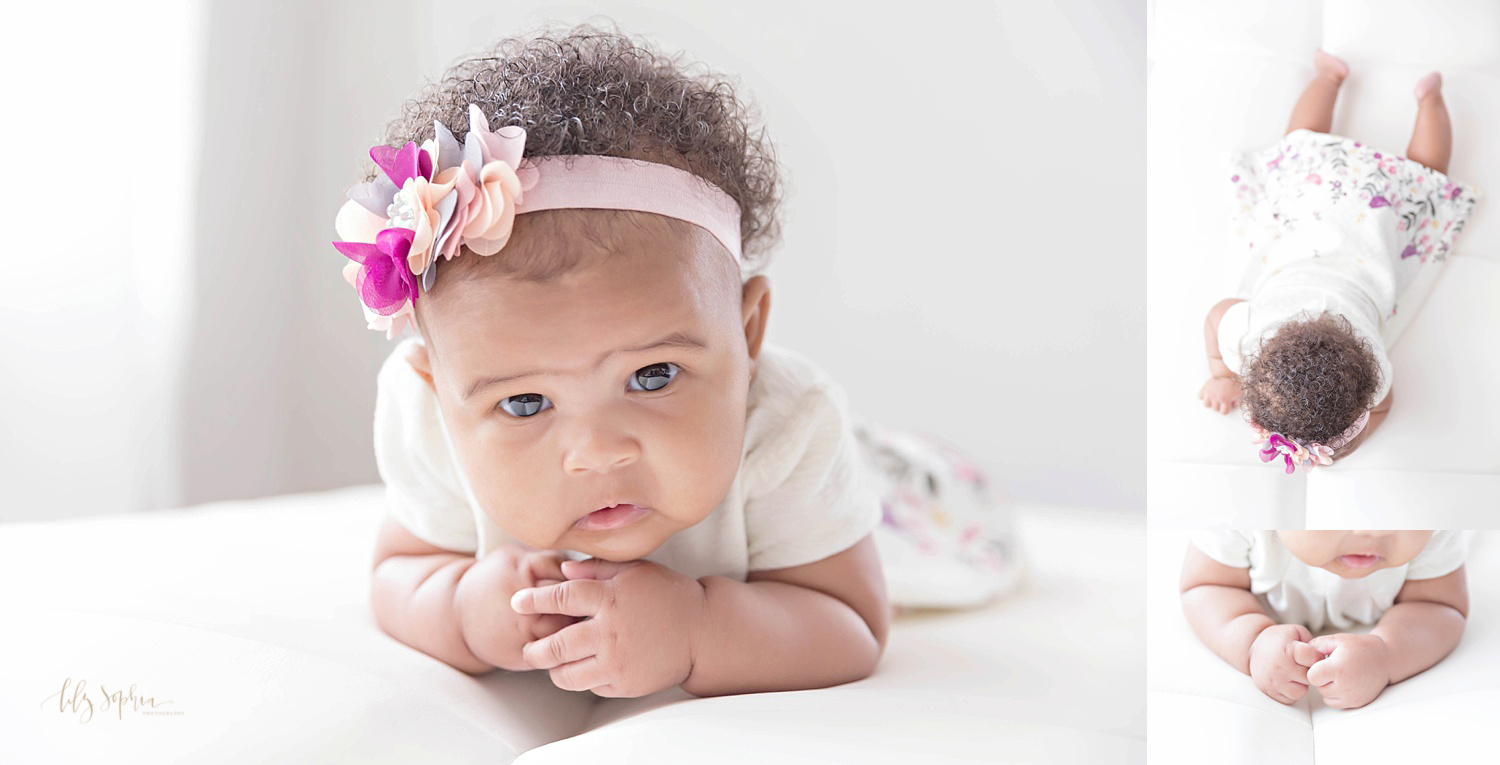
(1312, 380)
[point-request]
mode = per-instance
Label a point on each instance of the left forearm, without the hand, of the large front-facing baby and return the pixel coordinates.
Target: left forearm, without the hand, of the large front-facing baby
(413, 601)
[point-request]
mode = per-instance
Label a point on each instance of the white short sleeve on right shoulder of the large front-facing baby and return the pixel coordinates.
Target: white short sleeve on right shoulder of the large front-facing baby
(809, 496)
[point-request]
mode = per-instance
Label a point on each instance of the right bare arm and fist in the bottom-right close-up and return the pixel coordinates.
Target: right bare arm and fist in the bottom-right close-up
(1414, 635)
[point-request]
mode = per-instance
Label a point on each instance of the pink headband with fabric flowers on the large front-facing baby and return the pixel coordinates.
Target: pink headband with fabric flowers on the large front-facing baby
(445, 196)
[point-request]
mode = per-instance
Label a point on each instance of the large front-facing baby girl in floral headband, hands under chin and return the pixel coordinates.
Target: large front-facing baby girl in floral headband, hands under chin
(595, 463)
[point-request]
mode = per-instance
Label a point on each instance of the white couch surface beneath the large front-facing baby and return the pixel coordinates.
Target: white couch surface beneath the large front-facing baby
(253, 620)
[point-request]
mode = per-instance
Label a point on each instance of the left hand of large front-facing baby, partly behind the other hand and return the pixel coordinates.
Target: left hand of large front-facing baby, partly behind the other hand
(494, 631)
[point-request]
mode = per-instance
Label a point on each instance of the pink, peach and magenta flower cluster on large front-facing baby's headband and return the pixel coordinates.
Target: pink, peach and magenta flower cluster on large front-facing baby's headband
(431, 202)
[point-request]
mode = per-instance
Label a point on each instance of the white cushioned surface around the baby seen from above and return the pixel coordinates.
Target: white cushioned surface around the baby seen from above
(1223, 77)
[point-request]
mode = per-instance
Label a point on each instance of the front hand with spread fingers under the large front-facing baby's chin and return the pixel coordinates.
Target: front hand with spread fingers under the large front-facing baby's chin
(638, 637)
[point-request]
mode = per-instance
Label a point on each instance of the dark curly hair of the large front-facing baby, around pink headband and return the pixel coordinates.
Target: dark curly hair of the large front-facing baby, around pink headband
(593, 91)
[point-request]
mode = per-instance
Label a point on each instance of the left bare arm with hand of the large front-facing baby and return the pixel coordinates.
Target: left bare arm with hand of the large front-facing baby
(455, 608)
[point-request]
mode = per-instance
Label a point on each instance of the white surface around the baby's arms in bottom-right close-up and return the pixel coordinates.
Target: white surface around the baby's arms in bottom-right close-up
(1201, 710)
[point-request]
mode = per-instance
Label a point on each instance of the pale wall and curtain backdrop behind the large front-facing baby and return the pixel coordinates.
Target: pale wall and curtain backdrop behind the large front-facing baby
(979, 278)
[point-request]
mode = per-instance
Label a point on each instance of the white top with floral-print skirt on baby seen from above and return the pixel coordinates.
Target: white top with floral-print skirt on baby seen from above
(1331, 224)
